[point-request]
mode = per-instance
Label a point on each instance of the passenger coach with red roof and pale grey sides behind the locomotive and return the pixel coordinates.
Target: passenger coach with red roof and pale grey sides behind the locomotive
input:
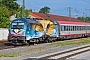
(73, 29)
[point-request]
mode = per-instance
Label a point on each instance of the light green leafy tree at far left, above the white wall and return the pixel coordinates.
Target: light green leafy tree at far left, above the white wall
(4, 17)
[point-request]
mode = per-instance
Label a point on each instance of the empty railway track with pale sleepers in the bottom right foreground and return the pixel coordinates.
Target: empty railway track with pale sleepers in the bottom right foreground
(62, 55)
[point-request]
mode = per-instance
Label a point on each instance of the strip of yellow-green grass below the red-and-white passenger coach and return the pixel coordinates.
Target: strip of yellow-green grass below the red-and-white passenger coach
(80, 41)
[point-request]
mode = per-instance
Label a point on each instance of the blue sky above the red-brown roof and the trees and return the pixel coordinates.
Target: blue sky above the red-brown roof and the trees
(60, 7)
